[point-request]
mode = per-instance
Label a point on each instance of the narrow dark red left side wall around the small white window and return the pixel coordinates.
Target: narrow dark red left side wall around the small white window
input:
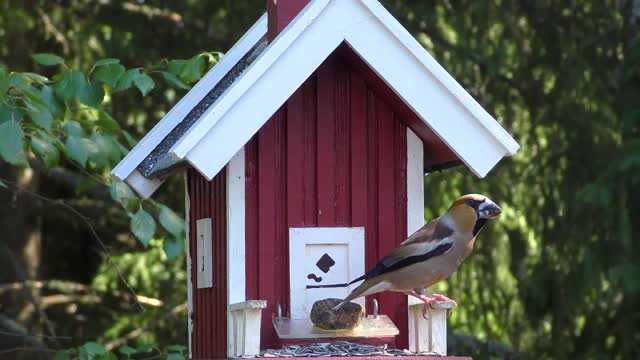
(209, 311)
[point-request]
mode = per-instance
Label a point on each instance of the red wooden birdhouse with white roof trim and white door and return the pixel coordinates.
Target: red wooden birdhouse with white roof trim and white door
(305, 151)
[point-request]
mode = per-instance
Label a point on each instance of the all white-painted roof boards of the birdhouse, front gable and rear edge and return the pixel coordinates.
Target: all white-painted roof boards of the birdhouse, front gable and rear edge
(379, 39)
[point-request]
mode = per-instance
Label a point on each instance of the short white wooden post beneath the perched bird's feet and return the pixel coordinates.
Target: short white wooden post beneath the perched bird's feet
(428, 335)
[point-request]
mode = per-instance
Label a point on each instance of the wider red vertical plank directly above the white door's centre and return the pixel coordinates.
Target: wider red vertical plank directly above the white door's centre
(326, 131)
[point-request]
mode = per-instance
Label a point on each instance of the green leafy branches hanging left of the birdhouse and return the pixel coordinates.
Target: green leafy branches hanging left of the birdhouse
(64, 118)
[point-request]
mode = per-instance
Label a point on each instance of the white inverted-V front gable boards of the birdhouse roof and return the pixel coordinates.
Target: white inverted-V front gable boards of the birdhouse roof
(343, 24)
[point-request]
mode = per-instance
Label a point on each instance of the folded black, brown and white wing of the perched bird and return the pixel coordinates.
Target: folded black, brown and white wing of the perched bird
(431, 240)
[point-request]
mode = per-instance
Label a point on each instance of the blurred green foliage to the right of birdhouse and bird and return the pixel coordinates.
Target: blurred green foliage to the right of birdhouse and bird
(557, 277)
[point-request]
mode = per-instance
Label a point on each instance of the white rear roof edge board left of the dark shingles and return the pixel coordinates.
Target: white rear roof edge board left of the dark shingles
(150, 141)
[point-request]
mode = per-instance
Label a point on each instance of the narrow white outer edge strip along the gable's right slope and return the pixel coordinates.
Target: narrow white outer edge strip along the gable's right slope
(410, 42)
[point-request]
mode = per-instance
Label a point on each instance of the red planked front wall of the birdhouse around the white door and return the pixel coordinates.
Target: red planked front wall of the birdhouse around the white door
(334, 155)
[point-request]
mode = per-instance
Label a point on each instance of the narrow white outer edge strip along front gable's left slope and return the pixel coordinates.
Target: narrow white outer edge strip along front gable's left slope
(252, 74)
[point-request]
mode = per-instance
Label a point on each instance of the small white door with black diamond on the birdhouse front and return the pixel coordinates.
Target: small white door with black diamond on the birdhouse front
(320, 257)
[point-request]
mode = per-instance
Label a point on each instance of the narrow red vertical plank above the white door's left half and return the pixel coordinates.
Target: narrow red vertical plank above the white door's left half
(310, 100)
